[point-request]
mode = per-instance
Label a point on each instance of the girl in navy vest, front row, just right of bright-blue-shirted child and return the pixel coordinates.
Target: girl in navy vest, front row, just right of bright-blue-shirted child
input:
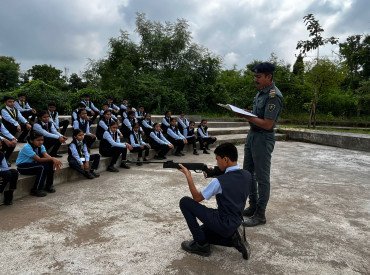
(79, 157)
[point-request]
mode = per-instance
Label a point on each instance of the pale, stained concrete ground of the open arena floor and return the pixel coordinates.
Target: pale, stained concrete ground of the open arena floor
(318, 221)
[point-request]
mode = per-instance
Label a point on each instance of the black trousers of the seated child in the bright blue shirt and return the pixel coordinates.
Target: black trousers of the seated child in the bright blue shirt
(44, 173)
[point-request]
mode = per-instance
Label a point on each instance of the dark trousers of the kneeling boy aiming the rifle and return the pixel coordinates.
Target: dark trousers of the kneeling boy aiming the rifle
(213, 230)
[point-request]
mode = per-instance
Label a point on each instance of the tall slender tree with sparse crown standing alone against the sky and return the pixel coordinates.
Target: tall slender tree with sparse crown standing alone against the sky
(315, 31)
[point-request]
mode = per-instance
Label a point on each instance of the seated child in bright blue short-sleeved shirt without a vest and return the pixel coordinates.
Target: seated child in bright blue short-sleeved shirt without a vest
(34, 160)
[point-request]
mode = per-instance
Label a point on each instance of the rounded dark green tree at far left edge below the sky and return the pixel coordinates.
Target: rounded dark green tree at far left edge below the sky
(9, 73)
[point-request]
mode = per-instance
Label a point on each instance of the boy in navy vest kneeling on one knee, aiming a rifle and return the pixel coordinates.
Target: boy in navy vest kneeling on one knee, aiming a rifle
(221, 226)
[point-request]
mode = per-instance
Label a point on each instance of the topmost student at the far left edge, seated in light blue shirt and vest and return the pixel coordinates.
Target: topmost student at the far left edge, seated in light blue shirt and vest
(13, 120)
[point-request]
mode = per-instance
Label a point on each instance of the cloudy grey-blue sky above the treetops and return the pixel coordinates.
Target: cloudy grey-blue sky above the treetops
(67, 33)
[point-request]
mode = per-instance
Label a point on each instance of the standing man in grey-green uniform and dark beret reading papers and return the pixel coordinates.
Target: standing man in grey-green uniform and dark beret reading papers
(267, 106)
